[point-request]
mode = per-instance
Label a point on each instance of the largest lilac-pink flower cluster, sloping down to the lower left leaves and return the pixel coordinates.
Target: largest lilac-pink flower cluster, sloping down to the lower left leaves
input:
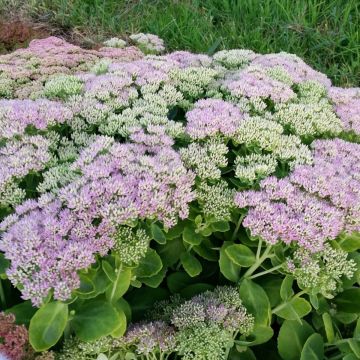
(49, 240)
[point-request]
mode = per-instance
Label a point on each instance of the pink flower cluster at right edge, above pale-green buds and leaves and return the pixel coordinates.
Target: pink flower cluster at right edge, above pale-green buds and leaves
(314, 204)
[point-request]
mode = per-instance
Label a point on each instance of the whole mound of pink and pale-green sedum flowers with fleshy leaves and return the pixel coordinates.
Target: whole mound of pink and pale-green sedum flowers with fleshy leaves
(128, 175)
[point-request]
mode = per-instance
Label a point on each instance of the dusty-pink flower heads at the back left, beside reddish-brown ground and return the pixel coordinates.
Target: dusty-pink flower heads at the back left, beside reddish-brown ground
(29, 67)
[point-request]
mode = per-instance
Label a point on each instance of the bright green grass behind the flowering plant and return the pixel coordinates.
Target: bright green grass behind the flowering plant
(325, 33)
